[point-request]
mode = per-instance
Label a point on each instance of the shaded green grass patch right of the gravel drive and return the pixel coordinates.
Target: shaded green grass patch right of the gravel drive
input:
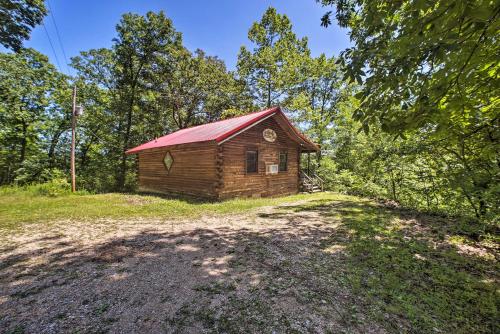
(409, 272)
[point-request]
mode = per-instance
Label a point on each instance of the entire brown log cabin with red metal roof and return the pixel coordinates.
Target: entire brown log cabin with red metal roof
(254, 155)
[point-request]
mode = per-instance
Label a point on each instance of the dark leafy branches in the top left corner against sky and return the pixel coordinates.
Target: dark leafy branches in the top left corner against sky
(17, 19)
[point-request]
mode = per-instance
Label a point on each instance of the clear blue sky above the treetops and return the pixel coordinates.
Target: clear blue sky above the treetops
(219, 27)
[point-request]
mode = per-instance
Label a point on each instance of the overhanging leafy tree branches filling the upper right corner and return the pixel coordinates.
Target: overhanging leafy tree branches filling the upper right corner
(428, 64)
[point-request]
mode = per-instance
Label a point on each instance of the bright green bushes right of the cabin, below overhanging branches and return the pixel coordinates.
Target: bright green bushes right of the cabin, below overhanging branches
(407, 171)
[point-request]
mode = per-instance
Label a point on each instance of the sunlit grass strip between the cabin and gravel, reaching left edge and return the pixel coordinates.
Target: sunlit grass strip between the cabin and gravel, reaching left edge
(18, 206)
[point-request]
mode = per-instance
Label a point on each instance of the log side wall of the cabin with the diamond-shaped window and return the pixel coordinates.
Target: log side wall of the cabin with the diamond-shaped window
(192, 173)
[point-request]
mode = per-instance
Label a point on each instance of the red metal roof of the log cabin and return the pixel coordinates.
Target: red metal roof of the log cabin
(215, 131)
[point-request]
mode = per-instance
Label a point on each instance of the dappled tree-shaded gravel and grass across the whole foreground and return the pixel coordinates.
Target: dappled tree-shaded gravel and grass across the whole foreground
(319, 267)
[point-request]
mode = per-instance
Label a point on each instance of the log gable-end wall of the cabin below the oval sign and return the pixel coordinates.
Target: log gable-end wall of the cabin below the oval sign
(237, 183)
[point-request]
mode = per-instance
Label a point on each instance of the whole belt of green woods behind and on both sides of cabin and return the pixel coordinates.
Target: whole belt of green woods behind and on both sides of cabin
(380, 136)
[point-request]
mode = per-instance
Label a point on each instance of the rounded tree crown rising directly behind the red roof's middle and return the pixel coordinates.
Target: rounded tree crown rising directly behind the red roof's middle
(196, 89)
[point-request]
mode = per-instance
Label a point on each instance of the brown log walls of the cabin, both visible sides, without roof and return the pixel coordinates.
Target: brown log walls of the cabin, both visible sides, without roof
(208, 169)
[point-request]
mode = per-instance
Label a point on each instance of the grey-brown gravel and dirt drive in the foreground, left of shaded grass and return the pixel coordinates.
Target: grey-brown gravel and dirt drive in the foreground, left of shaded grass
(267, 271)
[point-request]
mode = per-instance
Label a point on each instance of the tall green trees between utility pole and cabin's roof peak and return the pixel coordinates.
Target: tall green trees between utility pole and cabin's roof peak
(147, 85)
